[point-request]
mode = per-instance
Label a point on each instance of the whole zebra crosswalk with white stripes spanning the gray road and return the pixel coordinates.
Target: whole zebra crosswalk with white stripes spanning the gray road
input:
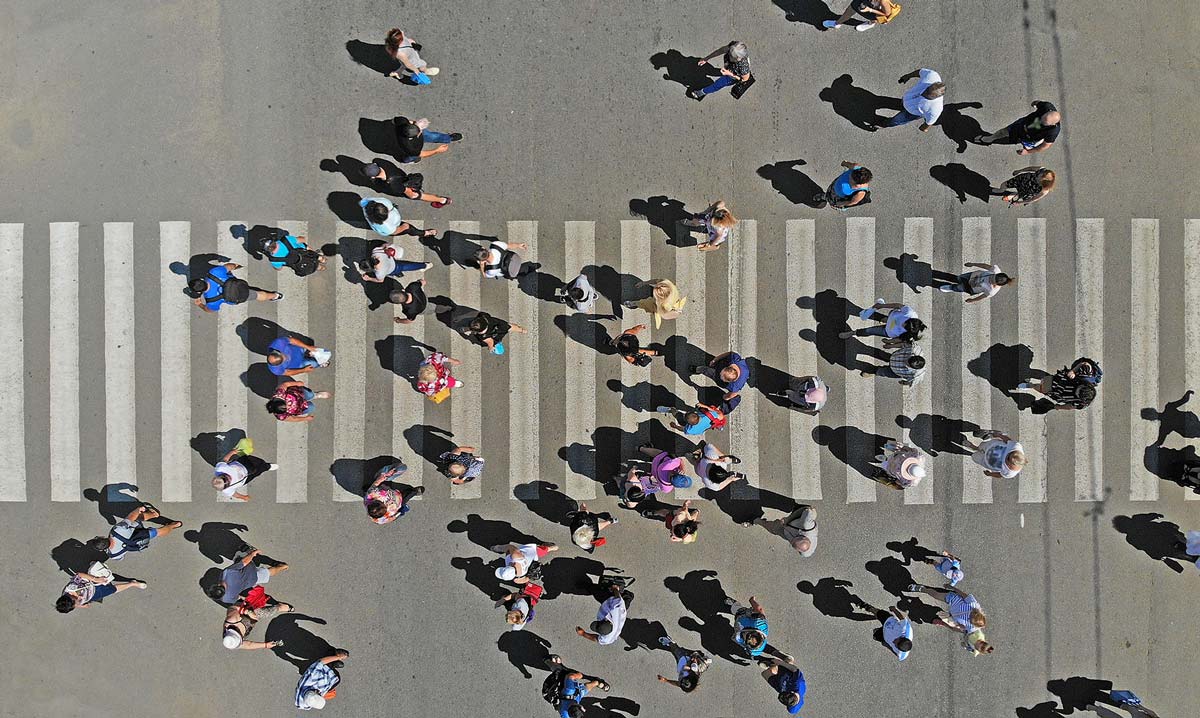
(779, 448)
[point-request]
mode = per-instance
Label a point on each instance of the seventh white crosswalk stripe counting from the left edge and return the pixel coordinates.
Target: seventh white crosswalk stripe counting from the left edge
(350, 369)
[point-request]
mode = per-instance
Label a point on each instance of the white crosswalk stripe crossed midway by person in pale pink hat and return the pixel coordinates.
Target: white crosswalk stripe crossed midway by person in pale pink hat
(802, 356)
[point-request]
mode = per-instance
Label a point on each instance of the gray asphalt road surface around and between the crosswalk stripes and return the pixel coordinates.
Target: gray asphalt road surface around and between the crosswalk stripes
(205, 113)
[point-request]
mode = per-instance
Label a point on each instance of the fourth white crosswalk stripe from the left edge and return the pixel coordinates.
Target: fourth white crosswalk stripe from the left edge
(176, 314)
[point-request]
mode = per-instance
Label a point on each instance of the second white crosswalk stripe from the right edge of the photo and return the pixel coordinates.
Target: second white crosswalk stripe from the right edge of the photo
(1144, 356)
